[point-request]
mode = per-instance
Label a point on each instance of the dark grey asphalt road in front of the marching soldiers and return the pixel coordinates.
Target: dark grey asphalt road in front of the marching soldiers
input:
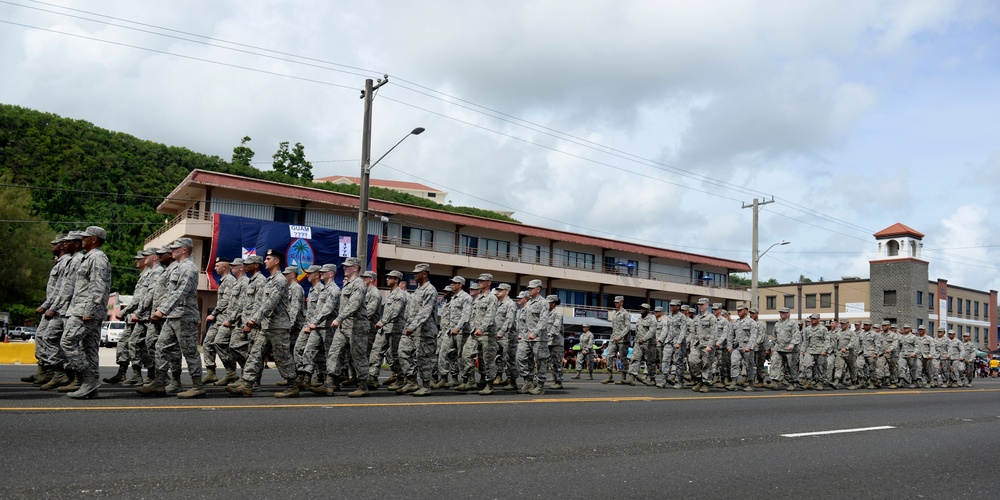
(587, 441)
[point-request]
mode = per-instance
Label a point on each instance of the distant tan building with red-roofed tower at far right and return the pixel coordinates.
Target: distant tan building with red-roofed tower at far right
(898, 290)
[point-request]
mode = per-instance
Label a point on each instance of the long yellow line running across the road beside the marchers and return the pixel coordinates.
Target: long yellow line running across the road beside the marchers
(329, 403)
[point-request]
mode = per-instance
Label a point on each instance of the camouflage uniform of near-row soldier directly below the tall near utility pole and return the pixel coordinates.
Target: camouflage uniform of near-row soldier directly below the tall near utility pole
(353, 331)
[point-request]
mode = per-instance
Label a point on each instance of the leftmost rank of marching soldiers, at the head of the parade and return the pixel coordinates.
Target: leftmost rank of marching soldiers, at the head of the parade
(76, 299)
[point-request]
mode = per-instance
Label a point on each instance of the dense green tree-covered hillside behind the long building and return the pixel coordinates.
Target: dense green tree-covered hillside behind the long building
(76, 174)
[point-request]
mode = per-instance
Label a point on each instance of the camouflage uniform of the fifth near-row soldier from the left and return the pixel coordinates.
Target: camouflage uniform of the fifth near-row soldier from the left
(416, 347)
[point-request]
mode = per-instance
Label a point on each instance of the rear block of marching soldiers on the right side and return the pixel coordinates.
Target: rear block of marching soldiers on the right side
(705, 349)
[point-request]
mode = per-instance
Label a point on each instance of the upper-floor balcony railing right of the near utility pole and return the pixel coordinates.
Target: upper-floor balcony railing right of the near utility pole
(553, 261)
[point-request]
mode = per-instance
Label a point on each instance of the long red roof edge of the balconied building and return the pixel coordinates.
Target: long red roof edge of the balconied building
(236, 182)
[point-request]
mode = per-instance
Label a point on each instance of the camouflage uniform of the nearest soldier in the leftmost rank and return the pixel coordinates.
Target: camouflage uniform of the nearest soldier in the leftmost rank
(91, 289)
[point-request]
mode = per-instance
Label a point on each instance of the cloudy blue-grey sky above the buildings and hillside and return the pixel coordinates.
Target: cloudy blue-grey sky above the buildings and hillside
(646, 121)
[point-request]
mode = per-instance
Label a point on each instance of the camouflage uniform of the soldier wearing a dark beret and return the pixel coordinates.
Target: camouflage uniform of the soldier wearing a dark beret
(271, 329)
